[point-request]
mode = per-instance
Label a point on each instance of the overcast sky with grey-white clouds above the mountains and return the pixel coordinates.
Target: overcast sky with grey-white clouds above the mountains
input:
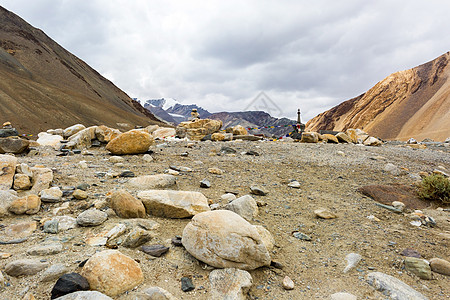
(221, 55)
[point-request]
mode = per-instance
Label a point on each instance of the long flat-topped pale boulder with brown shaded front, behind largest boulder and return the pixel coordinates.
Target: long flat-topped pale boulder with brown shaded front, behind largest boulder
(173, 204)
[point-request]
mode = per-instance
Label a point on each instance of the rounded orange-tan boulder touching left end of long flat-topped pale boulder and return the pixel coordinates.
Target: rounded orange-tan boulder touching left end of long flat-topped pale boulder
(126, 206)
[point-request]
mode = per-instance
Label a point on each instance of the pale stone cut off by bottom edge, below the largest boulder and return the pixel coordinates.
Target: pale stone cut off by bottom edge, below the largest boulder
(229, 283)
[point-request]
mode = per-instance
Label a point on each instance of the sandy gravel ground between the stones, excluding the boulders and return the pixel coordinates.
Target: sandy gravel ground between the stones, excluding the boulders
(329, 176)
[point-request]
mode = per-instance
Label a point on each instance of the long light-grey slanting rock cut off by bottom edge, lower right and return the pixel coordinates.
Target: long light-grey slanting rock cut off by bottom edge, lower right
(392, 287)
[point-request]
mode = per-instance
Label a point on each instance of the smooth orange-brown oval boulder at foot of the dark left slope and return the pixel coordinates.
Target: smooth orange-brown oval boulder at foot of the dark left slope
(130, 142)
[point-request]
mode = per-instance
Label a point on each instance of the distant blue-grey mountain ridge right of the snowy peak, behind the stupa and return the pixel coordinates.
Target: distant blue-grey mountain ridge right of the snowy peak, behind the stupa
(254, 119)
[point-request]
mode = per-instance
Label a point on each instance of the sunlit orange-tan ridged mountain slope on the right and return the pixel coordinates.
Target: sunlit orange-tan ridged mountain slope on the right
(412, 103)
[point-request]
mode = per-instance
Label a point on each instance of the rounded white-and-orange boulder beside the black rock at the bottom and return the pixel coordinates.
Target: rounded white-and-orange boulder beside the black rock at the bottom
(112, 272)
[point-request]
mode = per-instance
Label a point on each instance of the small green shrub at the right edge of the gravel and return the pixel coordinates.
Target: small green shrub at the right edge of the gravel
(435, 187)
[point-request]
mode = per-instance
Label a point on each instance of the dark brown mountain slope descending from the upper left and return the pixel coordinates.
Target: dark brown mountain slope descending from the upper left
(44, 86)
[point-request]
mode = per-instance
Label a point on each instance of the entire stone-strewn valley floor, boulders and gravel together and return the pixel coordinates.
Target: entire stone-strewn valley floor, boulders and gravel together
(328, 237)
